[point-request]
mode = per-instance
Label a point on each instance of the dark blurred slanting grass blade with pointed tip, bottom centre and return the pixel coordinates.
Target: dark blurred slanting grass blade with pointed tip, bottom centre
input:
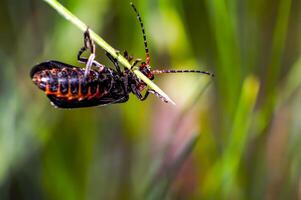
(159, 189)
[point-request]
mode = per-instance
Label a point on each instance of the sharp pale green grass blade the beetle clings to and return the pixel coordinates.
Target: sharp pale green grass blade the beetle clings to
(83, 27)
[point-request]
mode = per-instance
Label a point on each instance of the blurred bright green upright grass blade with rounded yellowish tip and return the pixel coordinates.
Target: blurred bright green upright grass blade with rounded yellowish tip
(240, 129)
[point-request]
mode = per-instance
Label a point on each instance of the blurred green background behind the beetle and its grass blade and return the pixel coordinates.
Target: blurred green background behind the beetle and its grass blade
(236, 136)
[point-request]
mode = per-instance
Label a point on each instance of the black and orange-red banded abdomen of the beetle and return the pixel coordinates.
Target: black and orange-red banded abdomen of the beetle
(69, 83)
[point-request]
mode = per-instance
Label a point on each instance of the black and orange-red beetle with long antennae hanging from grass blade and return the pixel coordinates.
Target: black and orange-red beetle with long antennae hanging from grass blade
(68, 86)
